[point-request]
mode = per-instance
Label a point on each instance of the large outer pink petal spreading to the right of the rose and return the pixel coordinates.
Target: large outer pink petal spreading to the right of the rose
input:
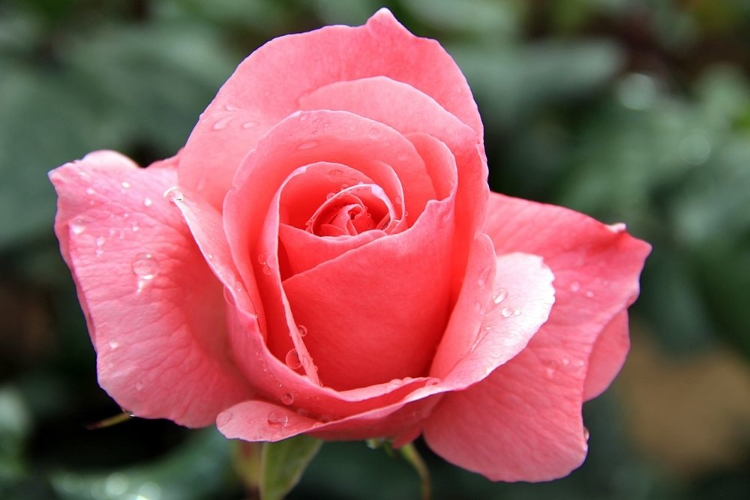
(524, 421)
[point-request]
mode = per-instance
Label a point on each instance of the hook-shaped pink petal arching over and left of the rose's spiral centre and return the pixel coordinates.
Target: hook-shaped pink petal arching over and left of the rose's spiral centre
(305, 139)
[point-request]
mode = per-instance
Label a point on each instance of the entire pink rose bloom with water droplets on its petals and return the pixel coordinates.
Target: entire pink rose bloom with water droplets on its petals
(324, 257)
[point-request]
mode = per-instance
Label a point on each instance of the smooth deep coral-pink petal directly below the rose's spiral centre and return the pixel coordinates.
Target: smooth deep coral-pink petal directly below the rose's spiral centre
(358, 338)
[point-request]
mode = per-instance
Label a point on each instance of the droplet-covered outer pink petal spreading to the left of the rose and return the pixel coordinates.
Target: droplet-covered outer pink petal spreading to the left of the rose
(151, 303)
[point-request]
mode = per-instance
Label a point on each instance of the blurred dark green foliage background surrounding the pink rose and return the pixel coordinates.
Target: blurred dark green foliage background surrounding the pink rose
(631, 111)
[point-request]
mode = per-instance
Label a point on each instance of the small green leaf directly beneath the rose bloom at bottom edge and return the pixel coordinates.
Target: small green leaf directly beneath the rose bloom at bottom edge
(283, 464)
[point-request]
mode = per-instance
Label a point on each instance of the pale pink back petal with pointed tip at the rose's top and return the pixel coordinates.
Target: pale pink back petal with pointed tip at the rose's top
(268, 85)
